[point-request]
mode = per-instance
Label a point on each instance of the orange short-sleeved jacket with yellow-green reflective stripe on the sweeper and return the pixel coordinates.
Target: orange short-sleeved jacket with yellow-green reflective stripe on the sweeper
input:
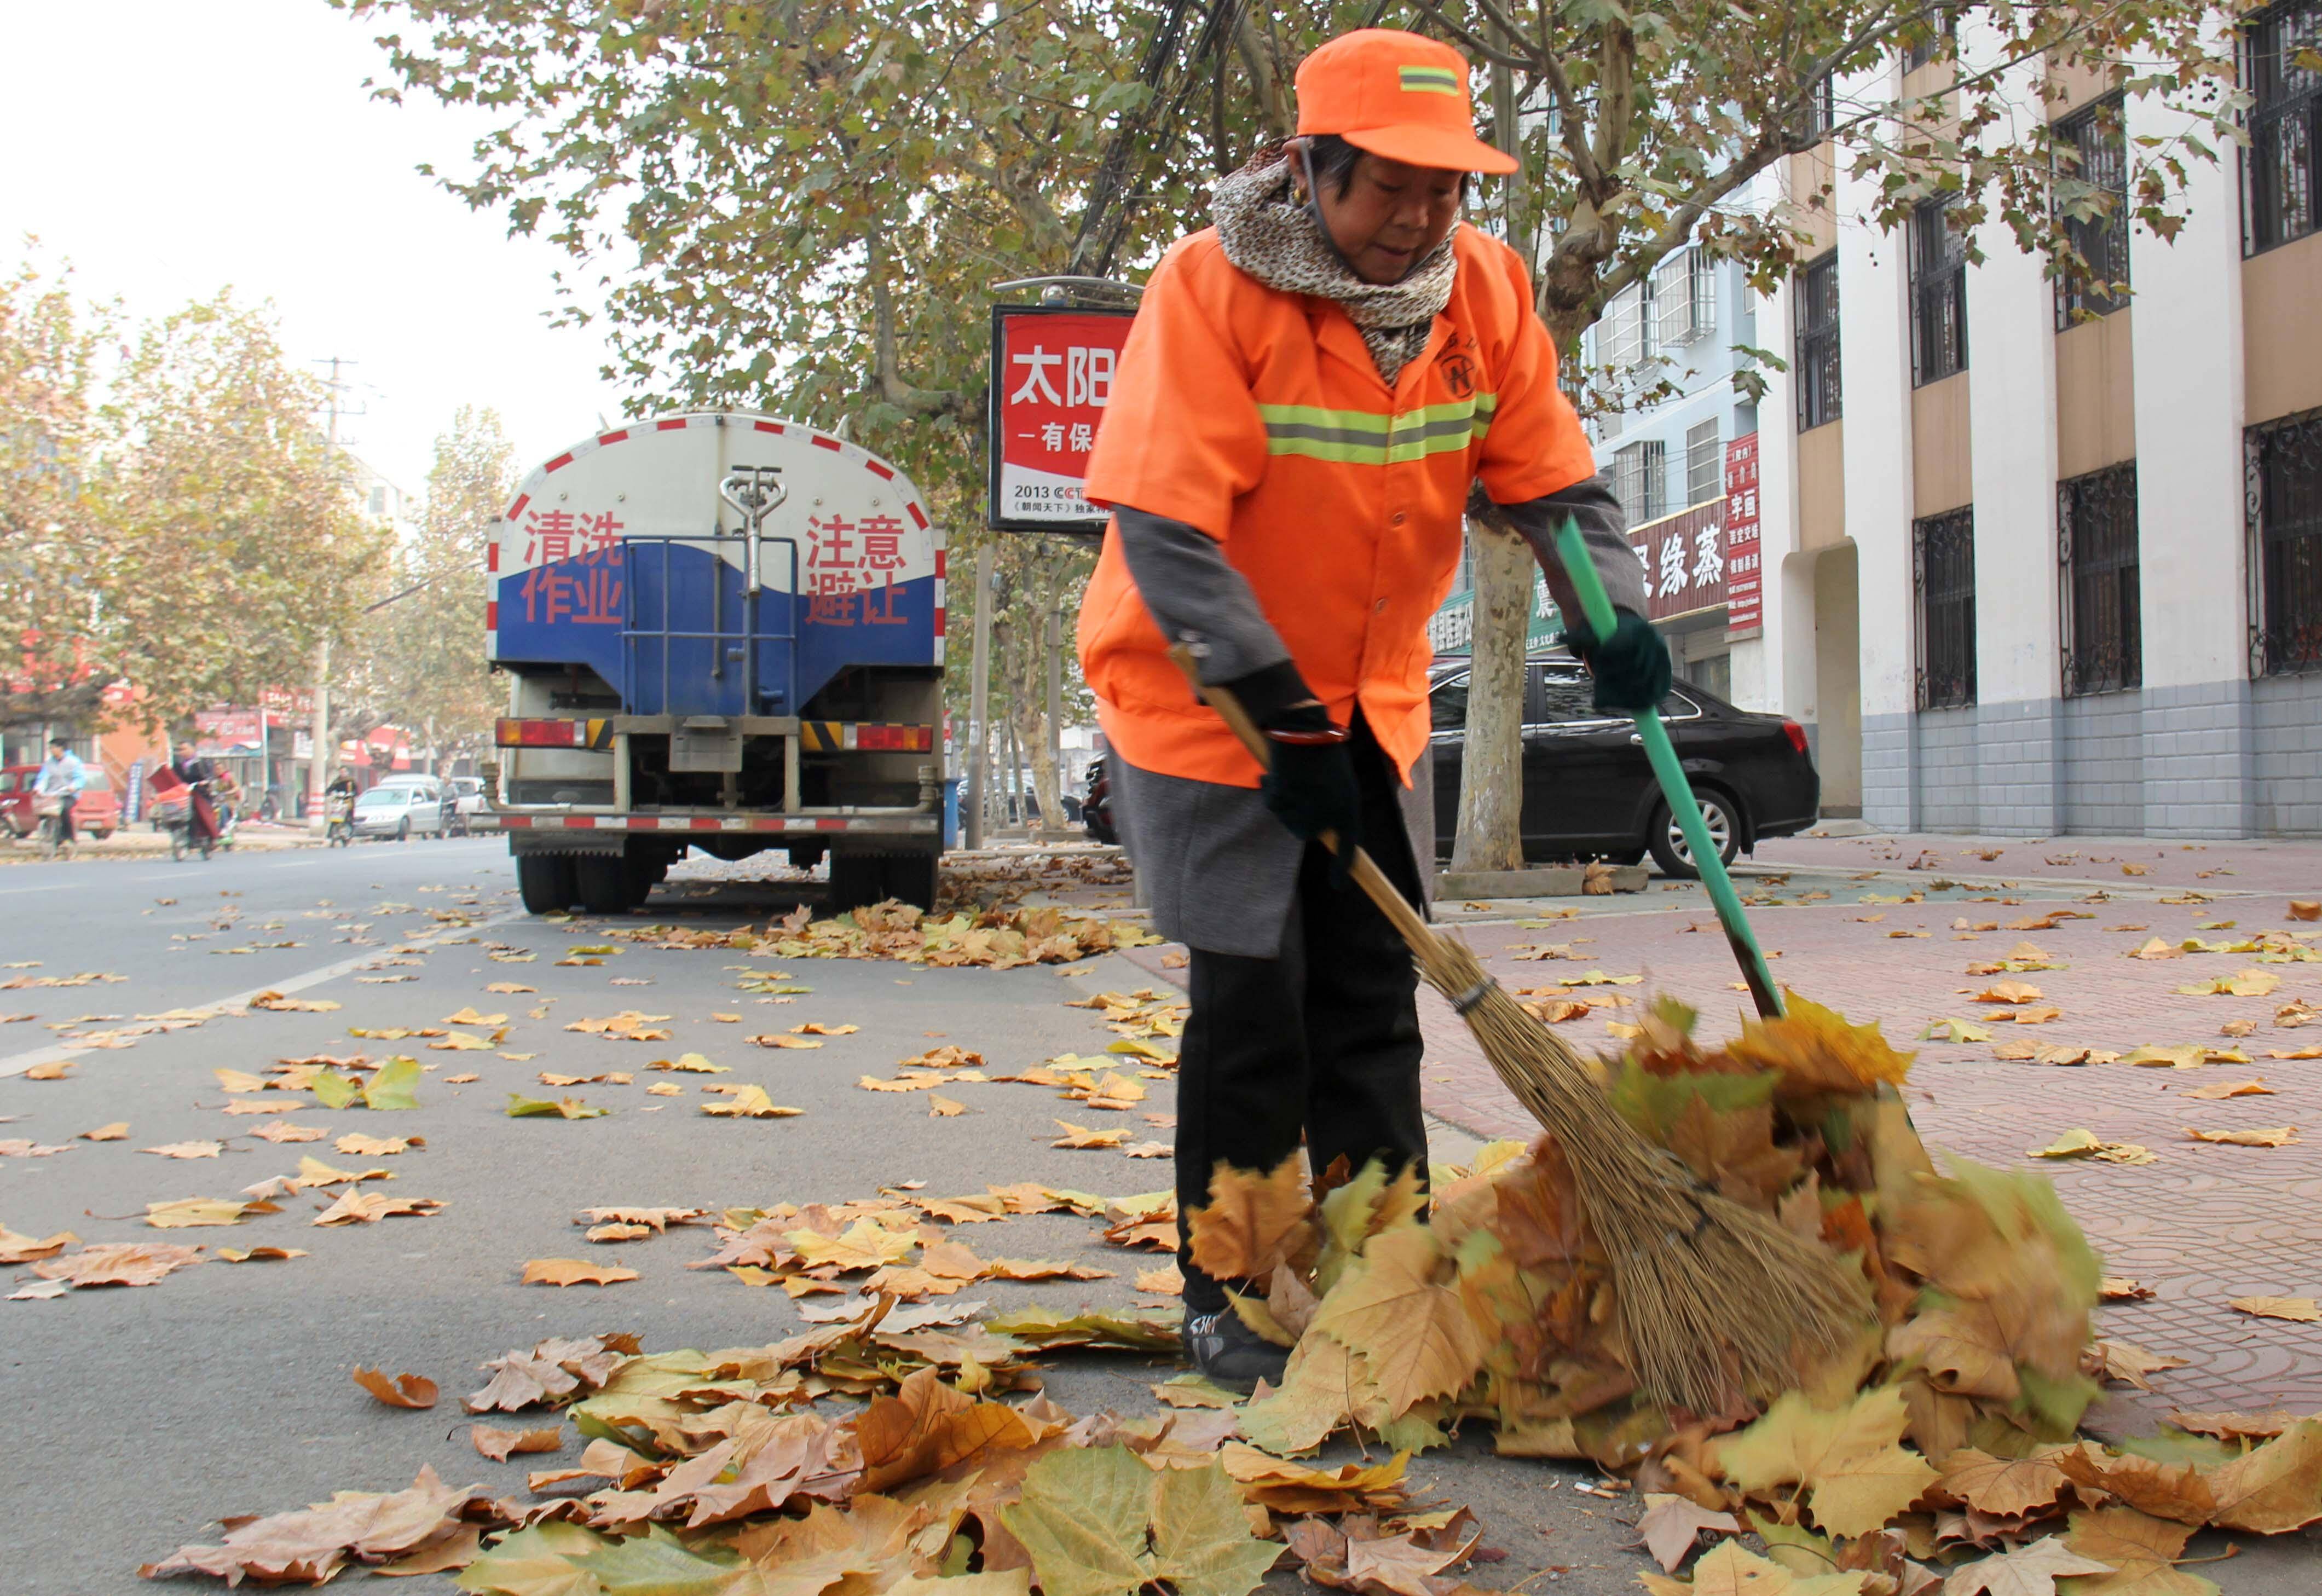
(1262, 419)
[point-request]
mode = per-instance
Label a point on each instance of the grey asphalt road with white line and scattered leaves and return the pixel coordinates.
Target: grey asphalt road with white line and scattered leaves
(136, 1418)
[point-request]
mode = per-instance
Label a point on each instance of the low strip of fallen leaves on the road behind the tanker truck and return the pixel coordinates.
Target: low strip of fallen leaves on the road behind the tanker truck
(893, 930)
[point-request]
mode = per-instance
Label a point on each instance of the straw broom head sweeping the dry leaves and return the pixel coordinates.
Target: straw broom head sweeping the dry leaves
(1717, 1300)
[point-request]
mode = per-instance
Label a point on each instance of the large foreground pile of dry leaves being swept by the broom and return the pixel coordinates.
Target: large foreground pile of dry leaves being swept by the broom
(1940, 1451)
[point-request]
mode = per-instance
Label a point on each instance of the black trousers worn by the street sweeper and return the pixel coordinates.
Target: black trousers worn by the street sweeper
(1320, 1042)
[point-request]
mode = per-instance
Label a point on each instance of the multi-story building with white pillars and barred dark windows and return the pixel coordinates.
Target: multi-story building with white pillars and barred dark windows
(2033, 561)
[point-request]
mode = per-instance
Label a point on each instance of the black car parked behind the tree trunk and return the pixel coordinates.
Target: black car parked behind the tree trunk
(1589, 791)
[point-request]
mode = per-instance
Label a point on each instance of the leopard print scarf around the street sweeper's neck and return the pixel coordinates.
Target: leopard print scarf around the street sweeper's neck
(1276, 240)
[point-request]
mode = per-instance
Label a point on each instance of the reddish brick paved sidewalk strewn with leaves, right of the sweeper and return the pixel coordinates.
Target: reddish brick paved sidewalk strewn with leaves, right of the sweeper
(2200, 1225)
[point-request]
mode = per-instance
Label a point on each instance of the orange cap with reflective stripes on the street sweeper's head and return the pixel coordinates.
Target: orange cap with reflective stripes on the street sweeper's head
(1399, 96)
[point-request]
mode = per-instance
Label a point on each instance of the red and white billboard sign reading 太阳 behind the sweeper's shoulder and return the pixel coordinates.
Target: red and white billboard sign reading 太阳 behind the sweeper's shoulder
(1051, 384)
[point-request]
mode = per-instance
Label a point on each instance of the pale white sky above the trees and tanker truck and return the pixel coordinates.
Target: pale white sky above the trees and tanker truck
(175, 148)
